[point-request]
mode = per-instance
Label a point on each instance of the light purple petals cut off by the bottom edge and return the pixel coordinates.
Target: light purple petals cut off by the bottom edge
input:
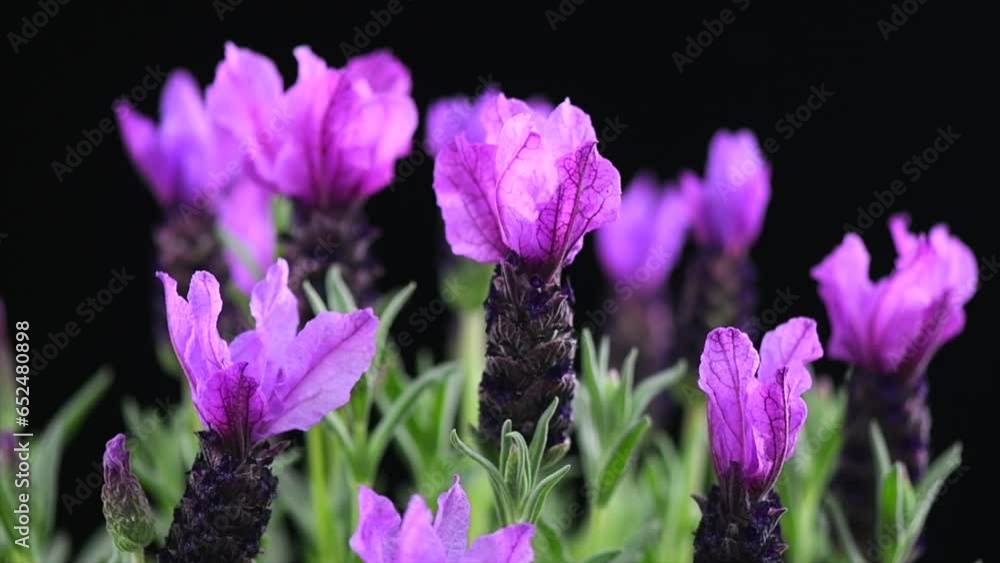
(383, 537)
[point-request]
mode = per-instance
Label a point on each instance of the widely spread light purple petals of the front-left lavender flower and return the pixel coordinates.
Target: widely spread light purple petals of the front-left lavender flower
(273, 378)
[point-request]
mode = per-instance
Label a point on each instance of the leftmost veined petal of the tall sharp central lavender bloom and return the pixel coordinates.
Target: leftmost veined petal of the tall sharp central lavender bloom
(465, 188)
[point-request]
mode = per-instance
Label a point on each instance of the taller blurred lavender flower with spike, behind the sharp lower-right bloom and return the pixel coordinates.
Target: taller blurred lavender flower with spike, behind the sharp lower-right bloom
(727, 212)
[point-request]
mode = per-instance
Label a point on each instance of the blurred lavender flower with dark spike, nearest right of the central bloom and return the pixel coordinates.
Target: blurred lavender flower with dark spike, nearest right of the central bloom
(638, 252)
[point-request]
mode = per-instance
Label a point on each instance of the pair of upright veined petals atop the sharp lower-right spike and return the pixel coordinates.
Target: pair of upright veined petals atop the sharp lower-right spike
(755, 406)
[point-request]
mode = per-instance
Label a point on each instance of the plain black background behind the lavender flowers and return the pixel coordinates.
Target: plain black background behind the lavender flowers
(64, 238)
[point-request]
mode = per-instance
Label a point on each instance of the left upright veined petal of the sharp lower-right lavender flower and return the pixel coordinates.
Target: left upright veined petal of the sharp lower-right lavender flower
(727, 376)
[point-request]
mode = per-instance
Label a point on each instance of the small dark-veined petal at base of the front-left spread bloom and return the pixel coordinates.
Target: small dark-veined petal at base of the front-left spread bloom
(230, 402)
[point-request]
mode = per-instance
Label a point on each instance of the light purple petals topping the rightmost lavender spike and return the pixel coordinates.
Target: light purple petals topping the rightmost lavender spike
(899, 321)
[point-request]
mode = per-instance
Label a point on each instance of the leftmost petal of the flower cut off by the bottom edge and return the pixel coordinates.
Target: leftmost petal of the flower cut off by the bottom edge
(377, 536)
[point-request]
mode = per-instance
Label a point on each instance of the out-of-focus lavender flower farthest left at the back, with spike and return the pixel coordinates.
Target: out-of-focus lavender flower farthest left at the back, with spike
(195, 173)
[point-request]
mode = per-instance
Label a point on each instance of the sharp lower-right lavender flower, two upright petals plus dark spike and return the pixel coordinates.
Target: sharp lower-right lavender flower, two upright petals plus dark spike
(755, 412)
